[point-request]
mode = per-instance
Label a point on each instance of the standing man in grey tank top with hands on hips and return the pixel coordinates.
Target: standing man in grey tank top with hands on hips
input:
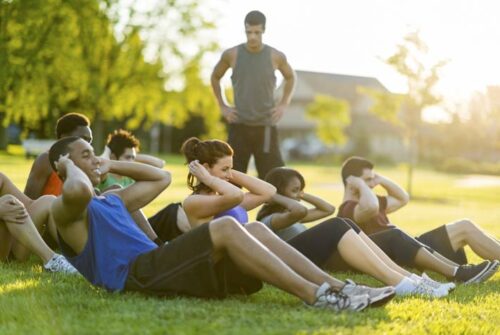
(252, 121)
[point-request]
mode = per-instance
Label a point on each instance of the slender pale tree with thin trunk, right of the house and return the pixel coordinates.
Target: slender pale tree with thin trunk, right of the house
(405, 110)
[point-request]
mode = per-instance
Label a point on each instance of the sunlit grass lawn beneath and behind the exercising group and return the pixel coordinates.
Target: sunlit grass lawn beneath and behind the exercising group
(34, 302)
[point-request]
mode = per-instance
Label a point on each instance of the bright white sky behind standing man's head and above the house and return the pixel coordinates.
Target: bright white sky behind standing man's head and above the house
(350, 37)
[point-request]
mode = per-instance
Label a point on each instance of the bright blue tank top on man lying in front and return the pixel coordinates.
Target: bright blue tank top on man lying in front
(114, 242)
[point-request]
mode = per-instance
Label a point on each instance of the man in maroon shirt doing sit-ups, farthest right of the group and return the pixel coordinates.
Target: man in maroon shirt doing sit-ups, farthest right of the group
(440, 250)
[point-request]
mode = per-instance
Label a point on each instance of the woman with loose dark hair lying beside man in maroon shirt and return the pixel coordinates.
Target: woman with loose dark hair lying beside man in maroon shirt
(343, 245)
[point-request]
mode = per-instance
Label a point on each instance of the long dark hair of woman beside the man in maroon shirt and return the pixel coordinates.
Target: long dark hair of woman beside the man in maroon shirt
(279, 177)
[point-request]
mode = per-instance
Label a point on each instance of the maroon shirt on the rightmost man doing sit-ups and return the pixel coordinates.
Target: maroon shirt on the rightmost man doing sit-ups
(377, 223)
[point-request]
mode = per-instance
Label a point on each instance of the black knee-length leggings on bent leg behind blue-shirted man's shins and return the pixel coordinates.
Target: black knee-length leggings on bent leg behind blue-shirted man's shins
(320, 242)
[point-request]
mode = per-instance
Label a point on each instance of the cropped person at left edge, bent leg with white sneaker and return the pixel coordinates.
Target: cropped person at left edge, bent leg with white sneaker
(19, 235)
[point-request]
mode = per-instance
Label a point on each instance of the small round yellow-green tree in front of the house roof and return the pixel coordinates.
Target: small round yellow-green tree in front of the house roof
(332, 117)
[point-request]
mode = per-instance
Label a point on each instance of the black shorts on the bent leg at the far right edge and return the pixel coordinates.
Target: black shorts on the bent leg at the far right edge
(439, 240)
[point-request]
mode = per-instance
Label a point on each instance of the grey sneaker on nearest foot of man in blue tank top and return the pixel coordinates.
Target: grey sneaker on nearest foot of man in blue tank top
(337, 301)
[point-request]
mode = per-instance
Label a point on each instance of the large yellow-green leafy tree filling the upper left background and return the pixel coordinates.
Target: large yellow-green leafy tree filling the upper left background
(91, 56)
